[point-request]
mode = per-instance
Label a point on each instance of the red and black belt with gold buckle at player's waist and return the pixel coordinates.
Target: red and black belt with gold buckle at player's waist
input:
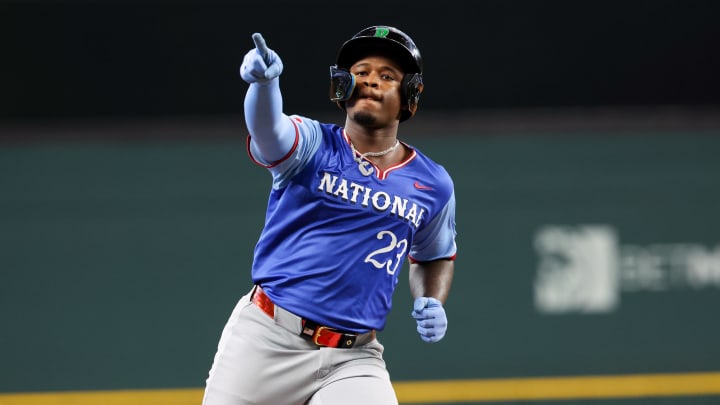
(318, 334)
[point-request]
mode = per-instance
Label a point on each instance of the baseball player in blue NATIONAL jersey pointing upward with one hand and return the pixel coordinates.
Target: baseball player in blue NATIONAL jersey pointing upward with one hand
(348, 205)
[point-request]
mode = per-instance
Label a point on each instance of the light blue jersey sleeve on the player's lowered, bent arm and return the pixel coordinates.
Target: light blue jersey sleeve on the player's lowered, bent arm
(437, 239)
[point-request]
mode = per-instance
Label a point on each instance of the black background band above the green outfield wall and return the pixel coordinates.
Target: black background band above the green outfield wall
(77, 58)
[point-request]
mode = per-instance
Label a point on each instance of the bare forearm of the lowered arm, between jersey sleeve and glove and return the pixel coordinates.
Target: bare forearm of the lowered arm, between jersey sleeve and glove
(431, 278)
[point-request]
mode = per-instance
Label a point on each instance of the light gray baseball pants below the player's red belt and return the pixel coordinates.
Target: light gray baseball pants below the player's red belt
(265, 361)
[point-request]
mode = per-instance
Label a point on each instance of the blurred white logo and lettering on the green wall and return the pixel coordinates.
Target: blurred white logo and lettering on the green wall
(584, 268)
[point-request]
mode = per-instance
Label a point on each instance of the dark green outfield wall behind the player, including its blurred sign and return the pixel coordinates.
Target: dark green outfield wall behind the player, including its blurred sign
(580, 255)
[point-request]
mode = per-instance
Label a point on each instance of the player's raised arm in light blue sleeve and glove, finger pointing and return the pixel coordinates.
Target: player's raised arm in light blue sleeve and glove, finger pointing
(272, 133)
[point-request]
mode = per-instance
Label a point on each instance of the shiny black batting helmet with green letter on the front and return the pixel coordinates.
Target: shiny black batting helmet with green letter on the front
(385, 40)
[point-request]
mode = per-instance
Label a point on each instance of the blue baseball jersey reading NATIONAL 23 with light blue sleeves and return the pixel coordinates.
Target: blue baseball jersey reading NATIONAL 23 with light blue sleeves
(335, 240)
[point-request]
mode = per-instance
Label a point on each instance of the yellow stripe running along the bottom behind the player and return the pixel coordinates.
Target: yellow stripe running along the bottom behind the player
(417, 392)
